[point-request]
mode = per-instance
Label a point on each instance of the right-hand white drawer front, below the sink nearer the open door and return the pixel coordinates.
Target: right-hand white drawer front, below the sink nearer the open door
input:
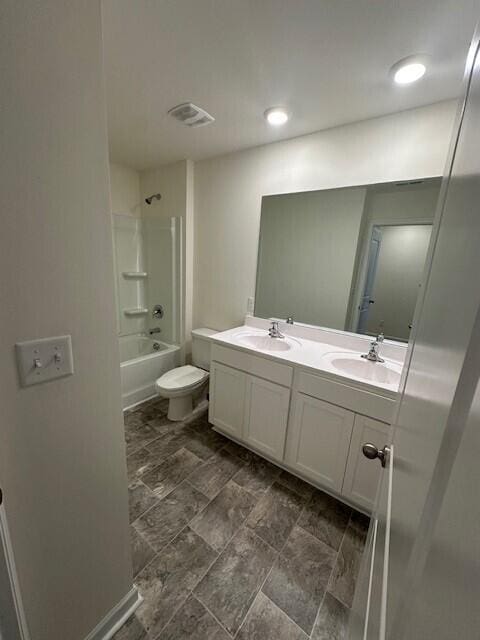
(342, 395)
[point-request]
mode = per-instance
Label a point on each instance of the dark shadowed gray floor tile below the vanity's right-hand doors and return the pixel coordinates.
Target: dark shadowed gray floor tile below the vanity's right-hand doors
(326, 518)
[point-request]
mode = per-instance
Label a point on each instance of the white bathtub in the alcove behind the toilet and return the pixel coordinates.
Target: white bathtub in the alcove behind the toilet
(142, 361)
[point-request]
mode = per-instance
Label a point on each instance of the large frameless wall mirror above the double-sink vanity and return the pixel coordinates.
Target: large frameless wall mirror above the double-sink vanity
(349, 259)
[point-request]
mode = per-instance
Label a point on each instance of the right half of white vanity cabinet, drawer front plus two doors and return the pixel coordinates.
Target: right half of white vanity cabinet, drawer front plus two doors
(326, 434)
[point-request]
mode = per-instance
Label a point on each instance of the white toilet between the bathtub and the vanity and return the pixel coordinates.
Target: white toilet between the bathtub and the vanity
(182, 384)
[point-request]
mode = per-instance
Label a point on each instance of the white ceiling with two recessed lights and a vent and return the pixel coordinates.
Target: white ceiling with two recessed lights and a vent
(327, 61)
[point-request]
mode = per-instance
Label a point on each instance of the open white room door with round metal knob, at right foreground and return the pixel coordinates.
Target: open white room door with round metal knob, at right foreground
(418, 580)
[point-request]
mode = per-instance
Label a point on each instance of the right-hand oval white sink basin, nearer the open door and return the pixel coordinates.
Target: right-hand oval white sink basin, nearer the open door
(352, 365)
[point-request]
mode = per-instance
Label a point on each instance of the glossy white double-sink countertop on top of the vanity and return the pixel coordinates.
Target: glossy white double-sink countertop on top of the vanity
(321, 356)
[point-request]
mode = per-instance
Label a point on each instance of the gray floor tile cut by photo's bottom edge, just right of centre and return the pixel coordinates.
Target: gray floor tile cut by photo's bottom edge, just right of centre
(265, 621)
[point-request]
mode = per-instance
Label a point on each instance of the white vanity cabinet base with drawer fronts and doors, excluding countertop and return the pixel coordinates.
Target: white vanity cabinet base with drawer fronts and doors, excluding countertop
(309, 423)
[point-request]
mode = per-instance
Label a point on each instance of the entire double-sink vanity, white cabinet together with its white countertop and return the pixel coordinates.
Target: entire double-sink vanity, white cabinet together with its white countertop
(307, 401)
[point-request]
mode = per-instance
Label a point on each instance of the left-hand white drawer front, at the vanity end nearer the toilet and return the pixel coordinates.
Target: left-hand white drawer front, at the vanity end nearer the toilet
(255, 365)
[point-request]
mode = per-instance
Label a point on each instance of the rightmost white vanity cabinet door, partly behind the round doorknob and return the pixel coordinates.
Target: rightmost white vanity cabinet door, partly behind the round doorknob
(362, 477)
